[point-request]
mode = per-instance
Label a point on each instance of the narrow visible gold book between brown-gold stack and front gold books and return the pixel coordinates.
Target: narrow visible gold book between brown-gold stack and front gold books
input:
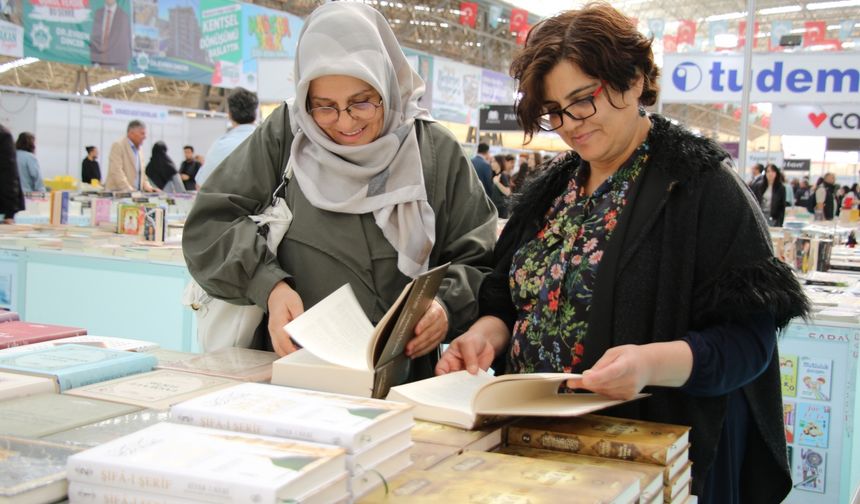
(650, 476)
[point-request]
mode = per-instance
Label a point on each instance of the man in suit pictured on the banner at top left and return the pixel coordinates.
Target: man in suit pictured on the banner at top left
(110, 39)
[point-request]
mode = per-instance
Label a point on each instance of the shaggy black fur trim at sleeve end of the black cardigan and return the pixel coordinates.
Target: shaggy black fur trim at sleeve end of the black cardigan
(768, 286)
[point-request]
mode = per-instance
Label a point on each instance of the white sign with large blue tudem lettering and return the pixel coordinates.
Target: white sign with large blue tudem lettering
(819, 78)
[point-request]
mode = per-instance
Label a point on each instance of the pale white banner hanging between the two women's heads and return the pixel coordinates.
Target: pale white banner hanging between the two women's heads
(456, 91)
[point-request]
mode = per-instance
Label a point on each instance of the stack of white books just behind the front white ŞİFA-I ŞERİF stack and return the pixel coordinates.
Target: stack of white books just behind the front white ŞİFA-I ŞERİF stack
(374, 433)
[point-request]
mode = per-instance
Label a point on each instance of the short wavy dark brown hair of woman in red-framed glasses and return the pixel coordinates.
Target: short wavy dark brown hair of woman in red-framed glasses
(599, 39)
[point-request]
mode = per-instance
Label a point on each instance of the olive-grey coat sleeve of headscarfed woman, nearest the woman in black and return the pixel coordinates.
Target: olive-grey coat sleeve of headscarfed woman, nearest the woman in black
(466, 226)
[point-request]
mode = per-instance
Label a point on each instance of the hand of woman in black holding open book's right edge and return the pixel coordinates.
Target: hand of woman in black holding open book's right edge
(620, 374)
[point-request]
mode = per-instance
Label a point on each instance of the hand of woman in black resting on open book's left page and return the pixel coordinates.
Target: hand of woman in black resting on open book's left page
(476, 348)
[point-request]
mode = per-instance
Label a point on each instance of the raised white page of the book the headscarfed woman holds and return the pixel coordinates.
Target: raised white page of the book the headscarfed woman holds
(335, 330)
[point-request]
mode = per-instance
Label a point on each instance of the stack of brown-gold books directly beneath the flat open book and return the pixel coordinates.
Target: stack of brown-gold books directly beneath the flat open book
(662, 445)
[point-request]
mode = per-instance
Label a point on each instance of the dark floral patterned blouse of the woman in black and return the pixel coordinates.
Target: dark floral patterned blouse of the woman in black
(552, 276)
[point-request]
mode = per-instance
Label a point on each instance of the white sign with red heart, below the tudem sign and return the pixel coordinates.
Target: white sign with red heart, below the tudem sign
(834, 121)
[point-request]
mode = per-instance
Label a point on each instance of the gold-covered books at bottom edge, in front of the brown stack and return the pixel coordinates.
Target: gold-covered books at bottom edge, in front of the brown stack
(496, 477)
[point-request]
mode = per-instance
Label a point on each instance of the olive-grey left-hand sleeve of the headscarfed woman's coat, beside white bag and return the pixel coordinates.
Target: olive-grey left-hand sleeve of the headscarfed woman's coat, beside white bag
(222, 248)
